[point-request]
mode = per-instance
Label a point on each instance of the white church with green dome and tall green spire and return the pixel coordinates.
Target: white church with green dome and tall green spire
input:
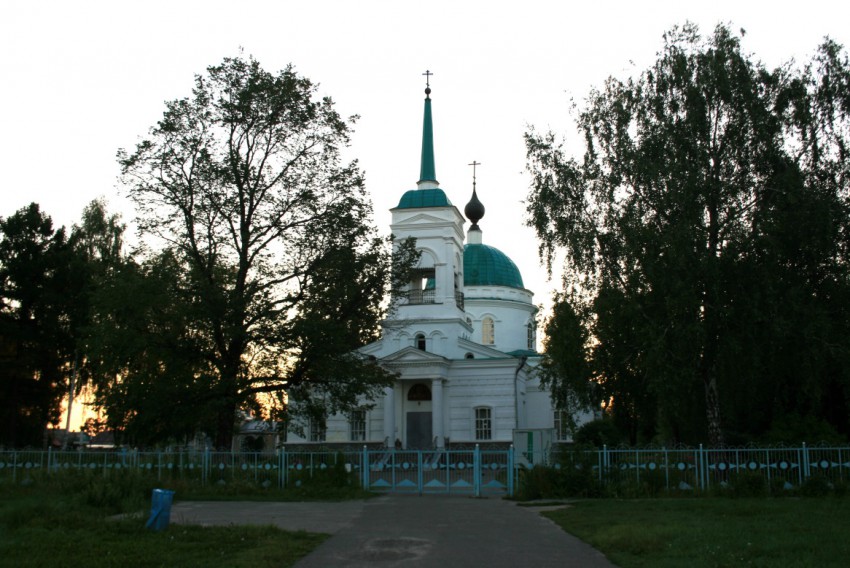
(461, 341)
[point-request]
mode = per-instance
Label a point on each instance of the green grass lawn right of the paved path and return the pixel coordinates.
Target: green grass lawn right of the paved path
(714, 531)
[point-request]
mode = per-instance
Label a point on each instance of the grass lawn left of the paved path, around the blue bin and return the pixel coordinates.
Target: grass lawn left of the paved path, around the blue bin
(74, 525)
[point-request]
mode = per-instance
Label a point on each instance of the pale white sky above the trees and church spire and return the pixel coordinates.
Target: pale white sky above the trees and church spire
(81, 79)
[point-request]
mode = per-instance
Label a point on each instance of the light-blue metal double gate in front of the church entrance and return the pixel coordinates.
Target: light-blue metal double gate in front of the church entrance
(474, 472)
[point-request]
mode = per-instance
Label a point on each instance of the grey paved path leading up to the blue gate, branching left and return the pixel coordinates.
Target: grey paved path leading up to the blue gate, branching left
(407, 530)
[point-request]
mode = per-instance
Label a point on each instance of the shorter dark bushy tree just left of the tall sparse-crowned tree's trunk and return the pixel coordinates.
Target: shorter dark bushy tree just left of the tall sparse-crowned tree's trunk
(147, 360)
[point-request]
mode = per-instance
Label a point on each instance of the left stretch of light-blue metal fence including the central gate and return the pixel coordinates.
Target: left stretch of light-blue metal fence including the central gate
(475, 472)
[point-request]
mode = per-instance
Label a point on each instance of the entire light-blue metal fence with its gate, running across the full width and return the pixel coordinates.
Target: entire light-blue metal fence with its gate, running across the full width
(469, 471)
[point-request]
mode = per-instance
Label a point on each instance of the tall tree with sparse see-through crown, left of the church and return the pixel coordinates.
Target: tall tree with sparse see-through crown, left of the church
(278, 274)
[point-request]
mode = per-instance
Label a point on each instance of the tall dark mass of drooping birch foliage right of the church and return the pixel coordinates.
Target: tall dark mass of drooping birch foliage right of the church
(706, 228)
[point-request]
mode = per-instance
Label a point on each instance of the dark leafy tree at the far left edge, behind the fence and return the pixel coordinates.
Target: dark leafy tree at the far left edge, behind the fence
(35, 315)
